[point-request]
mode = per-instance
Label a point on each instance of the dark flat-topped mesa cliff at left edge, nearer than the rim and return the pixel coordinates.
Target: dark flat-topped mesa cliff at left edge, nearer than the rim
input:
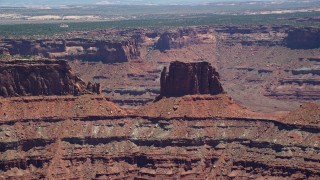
(41, 77)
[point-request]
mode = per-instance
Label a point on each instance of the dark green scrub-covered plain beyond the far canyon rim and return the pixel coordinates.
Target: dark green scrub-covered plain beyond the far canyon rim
(160, 21)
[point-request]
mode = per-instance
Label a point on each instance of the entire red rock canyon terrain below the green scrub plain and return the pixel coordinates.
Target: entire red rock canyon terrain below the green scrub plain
(177, 120)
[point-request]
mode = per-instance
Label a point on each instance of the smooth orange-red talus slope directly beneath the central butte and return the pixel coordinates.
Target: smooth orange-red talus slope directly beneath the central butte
(207, 105)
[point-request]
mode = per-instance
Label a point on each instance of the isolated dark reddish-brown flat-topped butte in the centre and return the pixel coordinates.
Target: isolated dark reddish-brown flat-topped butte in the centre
(189, 78)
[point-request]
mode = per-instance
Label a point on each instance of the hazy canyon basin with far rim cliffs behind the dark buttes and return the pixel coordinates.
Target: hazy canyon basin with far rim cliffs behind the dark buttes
(274, 67)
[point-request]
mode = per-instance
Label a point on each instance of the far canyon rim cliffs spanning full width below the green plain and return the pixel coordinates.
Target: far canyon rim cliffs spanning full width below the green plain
(124, 44)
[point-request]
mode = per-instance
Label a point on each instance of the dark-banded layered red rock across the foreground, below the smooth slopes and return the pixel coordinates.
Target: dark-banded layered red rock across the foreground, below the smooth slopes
(154, 147)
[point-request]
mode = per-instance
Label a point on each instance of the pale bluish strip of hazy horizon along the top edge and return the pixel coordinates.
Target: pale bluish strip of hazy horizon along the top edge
(26, 3)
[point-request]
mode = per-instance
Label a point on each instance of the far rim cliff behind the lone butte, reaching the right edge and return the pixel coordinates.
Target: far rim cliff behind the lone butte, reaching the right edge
(288, 36)
